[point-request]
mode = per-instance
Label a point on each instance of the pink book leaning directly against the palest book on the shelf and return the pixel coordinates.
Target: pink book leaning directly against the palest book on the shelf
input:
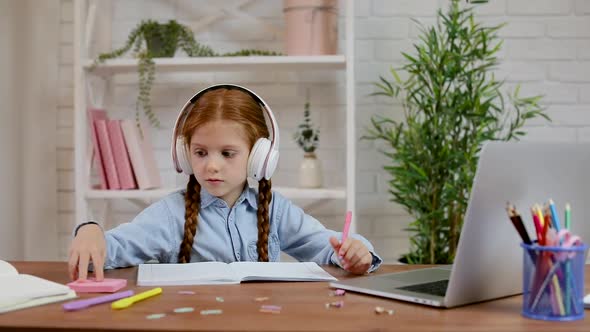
(122, 162)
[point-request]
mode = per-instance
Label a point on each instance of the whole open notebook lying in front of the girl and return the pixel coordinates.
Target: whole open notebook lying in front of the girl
(213, 273)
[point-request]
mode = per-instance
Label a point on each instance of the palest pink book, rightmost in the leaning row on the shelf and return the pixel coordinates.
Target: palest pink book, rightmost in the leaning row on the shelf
(141, 154)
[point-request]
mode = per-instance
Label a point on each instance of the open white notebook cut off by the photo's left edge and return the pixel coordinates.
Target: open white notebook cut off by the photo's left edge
(18, 291)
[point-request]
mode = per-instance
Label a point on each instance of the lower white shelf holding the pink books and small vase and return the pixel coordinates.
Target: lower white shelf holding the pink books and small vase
(289, 192)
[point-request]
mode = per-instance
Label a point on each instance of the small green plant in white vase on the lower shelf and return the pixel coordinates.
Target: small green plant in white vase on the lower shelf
(307, 137)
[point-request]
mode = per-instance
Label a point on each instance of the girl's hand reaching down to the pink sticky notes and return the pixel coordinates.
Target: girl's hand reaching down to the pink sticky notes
(88, 245)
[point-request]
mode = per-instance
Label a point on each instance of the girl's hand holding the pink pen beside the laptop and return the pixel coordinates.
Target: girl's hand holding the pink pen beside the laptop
(354, 255)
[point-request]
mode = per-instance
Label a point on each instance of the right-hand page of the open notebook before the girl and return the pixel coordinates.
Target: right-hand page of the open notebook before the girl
(281, 271)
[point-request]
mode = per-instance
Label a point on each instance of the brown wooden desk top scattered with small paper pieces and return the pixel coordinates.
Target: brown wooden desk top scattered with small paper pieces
(303, 309)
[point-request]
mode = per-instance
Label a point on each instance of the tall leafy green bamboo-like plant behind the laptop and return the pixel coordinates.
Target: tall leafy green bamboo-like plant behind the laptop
(452, 104)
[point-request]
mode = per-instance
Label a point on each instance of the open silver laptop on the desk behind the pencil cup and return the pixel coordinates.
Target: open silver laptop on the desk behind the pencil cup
(488, 263)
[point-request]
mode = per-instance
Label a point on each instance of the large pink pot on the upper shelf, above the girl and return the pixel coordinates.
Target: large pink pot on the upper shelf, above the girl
(311, 27)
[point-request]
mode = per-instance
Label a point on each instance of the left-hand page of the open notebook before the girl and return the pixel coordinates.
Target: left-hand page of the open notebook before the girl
(204, 273)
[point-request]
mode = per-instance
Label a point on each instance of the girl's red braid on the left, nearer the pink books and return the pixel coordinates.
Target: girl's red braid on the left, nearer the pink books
(192, 202)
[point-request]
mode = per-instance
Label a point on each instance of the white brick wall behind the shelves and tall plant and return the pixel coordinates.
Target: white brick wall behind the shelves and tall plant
(547, 50)
